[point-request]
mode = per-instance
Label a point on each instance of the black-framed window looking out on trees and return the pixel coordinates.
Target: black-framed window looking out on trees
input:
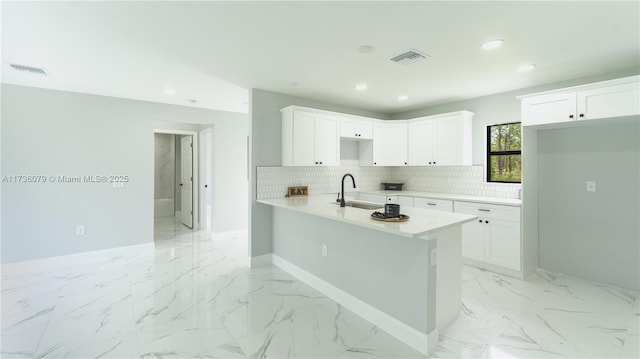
(504, 153)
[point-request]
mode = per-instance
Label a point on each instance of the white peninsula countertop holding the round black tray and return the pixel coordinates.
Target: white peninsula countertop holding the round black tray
(421, 222)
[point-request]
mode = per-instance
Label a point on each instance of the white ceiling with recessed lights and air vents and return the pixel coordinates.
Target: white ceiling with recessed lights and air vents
(214, 52)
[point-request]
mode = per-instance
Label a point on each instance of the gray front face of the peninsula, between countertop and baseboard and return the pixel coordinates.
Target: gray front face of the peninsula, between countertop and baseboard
(359, 262)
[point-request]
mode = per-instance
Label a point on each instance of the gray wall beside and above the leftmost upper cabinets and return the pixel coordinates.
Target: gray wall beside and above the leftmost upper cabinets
(266, 150)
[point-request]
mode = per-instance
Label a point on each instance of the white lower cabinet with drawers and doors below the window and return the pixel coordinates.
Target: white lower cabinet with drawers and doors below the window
(494, 238)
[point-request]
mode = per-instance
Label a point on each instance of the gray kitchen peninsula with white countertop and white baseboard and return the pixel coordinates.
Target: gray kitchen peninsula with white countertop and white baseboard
(403, 277)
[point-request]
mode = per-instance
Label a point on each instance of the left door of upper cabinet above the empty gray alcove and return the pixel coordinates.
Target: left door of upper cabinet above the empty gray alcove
(560, 107)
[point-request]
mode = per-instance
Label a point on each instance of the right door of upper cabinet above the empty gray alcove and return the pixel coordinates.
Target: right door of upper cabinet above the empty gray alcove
(610, 101)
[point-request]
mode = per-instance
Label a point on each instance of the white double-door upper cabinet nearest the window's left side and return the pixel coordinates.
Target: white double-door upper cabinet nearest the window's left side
(440, 140)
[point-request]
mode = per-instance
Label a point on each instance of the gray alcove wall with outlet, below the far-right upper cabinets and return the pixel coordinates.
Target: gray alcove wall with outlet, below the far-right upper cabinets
(592, 235)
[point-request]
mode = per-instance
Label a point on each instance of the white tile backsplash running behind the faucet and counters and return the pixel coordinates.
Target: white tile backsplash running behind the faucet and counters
(272, 182)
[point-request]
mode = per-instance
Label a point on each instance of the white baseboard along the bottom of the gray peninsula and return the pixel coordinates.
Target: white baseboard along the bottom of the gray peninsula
(424, 343)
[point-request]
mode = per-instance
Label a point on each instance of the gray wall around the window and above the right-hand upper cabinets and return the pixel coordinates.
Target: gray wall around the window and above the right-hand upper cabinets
(500, 108)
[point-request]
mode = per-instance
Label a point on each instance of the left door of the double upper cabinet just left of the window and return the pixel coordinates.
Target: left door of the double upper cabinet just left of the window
(420, 142)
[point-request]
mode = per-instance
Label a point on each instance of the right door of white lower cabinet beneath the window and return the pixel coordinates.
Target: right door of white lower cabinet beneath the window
(503, 243)
